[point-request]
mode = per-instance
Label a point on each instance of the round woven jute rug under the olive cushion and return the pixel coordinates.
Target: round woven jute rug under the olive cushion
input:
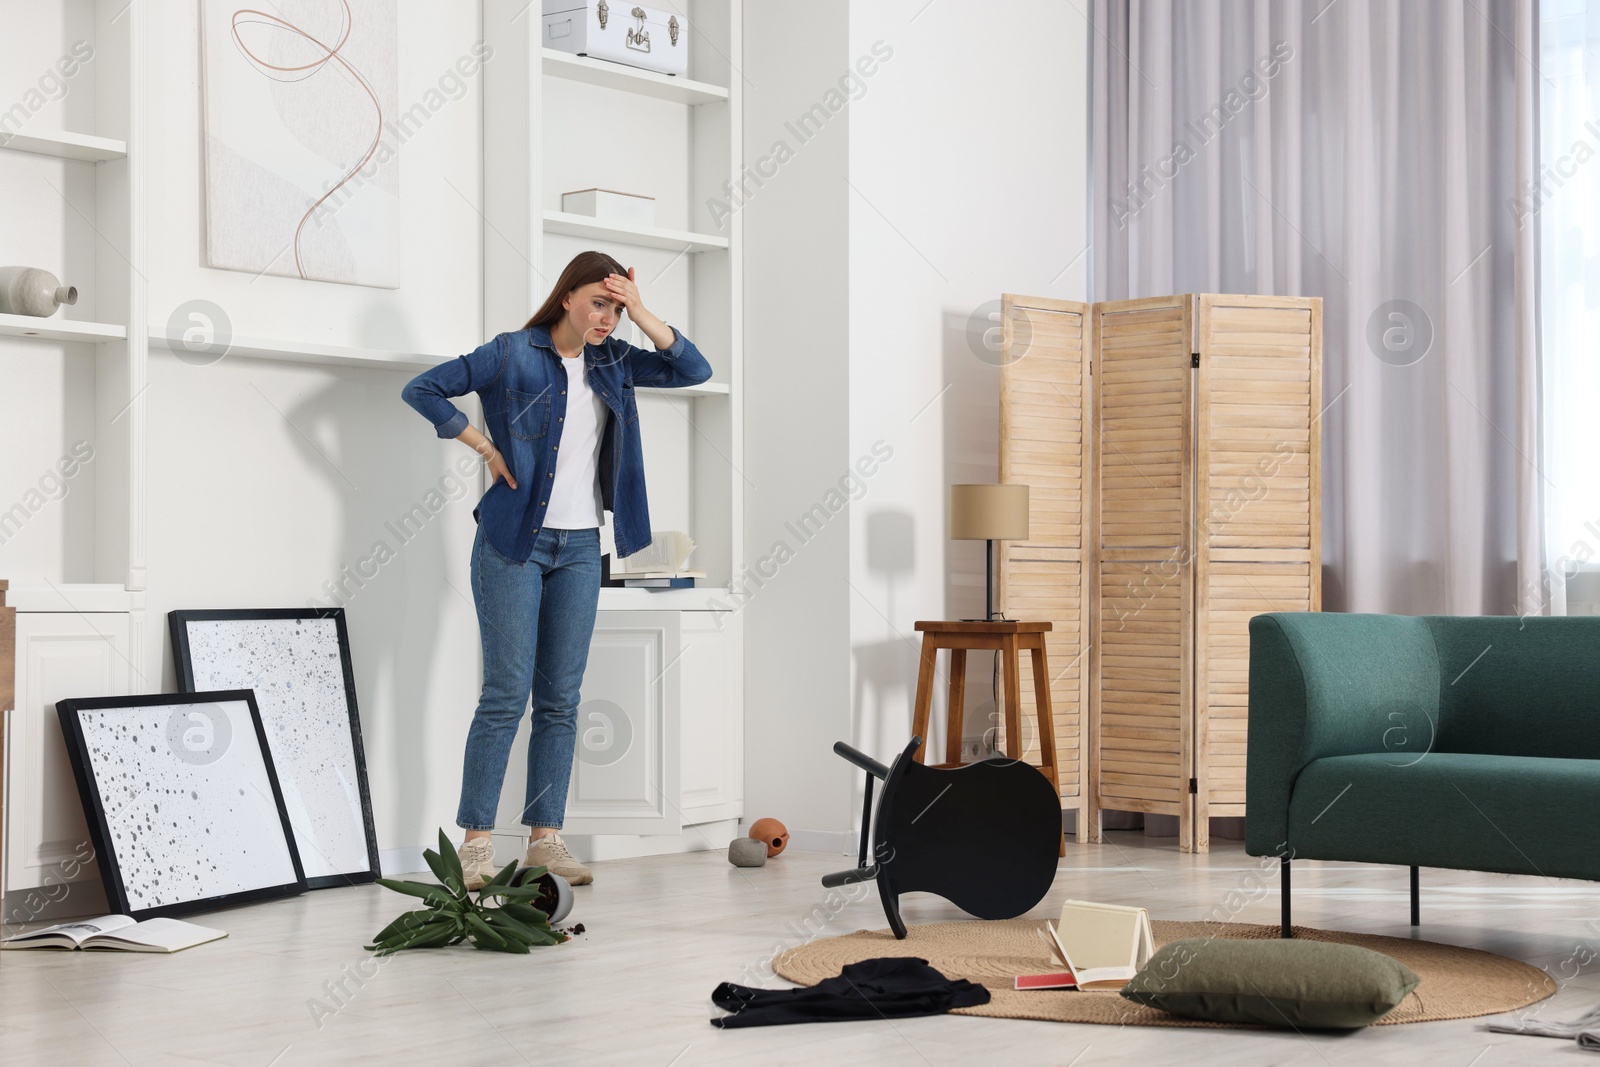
(1457, 983)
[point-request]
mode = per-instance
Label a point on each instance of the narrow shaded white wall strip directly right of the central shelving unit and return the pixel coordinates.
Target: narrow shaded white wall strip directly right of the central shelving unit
(796, 422)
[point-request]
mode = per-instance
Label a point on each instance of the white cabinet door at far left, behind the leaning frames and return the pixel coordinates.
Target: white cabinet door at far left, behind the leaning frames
(58, 657)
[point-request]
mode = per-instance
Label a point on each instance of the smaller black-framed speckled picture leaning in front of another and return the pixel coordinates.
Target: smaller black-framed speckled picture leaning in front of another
(183, 802)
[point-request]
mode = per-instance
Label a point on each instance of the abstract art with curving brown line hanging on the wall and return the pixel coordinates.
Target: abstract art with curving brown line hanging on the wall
(302, 158)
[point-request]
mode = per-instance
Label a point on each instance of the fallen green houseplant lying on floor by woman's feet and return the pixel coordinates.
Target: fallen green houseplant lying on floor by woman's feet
(521, 919)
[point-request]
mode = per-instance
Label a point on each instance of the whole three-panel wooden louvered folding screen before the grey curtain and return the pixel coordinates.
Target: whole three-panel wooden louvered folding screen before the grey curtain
(1204, 508)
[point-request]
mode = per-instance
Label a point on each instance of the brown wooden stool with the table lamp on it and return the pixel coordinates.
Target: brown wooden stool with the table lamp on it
(1002, 636)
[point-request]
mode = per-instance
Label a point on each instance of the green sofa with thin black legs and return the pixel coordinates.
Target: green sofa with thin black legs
(1425, 741)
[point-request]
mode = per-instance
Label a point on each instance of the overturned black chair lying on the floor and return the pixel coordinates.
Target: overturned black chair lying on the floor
(927, 817)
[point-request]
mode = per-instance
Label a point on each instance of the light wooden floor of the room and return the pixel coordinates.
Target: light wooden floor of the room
(662, 933)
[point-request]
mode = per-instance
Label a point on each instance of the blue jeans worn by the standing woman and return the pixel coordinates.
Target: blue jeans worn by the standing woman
(535, 621)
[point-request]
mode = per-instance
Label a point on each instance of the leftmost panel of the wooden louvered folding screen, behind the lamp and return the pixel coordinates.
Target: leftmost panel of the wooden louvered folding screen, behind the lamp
(1044, 396)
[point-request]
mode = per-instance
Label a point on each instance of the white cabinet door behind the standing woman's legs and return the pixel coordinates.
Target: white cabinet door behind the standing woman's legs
(626, 754)
